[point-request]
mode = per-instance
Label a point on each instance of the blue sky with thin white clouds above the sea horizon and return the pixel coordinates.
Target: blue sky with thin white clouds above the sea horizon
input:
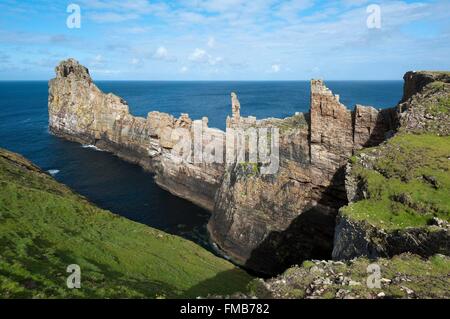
(225, 39)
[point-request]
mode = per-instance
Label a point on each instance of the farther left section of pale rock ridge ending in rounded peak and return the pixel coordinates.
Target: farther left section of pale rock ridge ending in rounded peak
(79, 111)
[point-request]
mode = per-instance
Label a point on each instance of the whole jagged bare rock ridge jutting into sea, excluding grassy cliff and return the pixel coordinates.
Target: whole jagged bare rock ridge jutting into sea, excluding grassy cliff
(266, 222)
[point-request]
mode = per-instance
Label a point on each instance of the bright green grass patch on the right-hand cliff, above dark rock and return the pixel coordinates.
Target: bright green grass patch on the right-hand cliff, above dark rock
(406, 182)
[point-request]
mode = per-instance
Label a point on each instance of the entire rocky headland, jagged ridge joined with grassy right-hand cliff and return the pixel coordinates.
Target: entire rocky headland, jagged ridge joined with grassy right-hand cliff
(269, 222)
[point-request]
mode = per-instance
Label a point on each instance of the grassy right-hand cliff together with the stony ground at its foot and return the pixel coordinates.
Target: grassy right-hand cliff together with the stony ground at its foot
(398, 216)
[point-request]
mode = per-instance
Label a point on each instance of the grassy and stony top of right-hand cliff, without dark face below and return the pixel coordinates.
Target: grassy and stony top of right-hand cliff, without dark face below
(405, 182)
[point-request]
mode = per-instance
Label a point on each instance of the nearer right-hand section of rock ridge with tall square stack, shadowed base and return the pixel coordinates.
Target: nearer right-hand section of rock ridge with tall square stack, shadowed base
(269, 223)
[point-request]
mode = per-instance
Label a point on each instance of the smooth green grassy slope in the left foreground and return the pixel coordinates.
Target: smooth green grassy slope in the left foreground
(44, 227)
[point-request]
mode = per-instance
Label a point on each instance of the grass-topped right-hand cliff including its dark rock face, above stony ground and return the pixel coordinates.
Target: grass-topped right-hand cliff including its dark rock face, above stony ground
(398, 191)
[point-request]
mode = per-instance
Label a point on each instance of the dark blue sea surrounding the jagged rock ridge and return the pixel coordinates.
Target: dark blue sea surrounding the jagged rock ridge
(125, 188)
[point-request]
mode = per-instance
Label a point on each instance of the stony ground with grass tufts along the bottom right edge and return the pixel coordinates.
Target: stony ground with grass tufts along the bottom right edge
(406, 276)
